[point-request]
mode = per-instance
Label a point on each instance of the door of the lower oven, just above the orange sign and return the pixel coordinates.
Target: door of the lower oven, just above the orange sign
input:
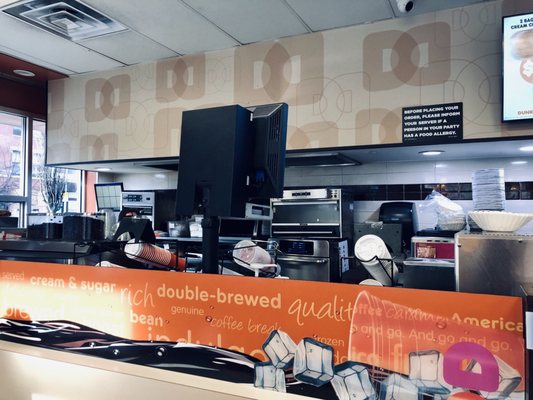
(305, 268)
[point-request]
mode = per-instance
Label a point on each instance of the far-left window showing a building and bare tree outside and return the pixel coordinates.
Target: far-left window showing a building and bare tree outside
(24, 178)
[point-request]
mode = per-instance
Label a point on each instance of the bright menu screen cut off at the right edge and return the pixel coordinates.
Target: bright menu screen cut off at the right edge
(517, 68)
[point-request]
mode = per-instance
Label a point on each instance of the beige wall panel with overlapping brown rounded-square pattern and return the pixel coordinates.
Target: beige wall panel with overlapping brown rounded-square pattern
(345, 87)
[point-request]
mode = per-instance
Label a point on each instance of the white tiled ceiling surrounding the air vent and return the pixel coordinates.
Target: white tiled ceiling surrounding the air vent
(160, 29)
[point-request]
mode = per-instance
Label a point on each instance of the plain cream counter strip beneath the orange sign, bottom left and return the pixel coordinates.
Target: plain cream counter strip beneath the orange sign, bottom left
(34, 373)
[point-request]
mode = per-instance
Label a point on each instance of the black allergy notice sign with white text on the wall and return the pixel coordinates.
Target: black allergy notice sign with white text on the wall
(437, 123)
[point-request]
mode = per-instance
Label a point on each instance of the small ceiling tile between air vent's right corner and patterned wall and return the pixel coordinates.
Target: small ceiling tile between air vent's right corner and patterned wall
(129, 47)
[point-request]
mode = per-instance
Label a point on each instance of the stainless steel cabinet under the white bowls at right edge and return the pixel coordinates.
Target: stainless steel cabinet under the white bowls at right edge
(493, 263)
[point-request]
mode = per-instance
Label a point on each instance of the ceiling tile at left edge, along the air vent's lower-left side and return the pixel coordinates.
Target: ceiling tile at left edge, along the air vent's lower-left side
(43, 48)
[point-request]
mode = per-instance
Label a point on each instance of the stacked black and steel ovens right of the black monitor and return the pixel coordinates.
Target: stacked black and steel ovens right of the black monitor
(315, 230)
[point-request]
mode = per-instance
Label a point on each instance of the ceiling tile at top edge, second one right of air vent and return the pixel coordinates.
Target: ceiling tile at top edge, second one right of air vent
(251, 21)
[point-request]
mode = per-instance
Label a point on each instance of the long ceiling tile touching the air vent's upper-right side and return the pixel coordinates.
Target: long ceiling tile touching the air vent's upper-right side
(169, 22)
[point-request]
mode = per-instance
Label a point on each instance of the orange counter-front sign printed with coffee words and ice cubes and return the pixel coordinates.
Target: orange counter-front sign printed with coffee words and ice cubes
(416, 341)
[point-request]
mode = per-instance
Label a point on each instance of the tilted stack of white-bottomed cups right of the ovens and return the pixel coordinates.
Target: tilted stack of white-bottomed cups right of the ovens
(372, 252)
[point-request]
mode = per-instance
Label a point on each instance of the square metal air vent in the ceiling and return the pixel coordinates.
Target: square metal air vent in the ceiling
(69, 18)
